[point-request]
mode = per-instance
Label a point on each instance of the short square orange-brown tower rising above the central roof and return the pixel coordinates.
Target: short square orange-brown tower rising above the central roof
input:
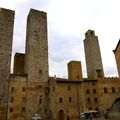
(75, 70)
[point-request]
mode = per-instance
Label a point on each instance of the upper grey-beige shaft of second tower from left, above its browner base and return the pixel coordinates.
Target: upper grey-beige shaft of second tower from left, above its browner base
(36, 59)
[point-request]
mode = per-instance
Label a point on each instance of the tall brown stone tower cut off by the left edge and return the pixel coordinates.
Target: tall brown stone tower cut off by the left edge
(6, 37)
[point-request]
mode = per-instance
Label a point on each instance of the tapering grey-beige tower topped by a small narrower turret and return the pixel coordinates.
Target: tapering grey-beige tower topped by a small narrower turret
(93, 55)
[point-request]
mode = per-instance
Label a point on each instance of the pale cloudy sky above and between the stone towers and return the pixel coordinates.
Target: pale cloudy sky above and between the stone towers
(68, 20)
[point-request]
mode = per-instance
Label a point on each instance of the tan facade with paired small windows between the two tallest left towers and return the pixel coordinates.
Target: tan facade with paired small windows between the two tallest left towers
(17, 97)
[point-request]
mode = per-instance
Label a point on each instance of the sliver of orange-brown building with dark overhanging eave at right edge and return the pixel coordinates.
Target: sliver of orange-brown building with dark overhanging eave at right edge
(117, 56)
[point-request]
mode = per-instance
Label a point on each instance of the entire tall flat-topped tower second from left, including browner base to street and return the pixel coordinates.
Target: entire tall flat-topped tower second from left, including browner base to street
(36, 61)
